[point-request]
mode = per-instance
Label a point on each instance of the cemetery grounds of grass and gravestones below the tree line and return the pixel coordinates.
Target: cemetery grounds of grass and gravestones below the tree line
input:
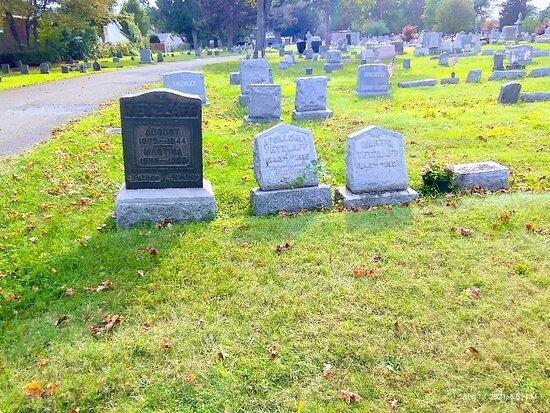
(355, 225)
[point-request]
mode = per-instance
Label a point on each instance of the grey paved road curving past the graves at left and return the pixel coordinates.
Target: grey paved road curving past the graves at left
(27, 115)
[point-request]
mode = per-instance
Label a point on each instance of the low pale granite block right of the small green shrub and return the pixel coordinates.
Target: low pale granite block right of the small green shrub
(488, 175)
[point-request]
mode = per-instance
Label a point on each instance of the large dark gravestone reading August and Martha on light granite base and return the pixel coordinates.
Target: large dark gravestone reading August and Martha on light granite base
(162, 145)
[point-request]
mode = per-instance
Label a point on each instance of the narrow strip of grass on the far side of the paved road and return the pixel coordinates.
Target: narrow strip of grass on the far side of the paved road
(15, 79)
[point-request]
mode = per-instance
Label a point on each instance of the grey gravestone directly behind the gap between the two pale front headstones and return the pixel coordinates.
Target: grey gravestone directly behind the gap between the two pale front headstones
(311, 98)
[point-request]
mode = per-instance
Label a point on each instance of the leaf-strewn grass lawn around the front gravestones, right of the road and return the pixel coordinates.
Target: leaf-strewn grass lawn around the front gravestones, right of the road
(214, 319)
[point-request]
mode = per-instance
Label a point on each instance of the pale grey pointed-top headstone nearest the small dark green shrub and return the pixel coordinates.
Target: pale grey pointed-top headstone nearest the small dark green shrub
(376, 173)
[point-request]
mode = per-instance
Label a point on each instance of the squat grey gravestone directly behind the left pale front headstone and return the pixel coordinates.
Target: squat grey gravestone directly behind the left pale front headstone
(264, 103)
